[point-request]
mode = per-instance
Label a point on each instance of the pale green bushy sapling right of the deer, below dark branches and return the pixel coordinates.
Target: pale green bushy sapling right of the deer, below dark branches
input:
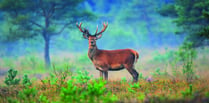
(183, 57)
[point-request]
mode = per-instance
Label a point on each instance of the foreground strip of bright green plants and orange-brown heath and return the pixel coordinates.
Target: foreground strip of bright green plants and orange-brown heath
(108, 92)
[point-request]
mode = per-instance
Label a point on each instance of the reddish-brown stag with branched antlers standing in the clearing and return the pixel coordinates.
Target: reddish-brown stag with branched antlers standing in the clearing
(111, 60)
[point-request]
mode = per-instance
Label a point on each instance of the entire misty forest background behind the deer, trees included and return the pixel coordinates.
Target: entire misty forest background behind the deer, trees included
(36, 35)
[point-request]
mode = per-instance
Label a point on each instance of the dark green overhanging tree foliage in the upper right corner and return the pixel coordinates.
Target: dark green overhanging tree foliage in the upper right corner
(192, 16)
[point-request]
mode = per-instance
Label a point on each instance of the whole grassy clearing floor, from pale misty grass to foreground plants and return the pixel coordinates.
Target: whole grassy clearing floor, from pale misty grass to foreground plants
(73, 80)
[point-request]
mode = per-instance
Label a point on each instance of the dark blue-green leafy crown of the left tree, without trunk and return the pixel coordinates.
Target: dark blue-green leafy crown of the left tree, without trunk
(21, 13)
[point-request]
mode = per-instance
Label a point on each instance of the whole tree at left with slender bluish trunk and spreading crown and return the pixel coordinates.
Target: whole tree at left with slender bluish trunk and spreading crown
(29, 18)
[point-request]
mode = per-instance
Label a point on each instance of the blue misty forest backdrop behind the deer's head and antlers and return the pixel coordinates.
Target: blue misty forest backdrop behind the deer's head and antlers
(133, 24)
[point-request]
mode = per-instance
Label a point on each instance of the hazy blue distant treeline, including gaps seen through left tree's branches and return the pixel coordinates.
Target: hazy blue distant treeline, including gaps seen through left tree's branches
(132, 24)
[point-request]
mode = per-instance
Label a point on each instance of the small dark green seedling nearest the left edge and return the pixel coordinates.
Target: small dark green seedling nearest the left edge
(10, 79)
